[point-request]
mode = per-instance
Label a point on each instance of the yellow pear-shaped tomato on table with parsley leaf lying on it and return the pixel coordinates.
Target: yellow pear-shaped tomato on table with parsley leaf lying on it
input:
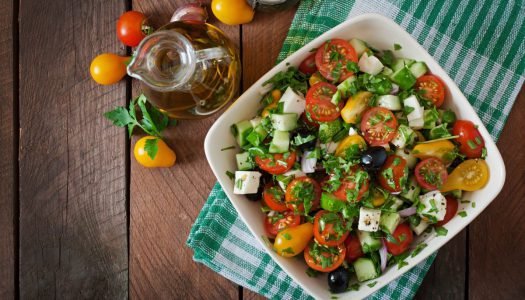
(165, 157)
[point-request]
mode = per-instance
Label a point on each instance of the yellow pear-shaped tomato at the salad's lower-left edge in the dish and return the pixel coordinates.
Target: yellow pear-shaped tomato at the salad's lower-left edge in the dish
(292, 241)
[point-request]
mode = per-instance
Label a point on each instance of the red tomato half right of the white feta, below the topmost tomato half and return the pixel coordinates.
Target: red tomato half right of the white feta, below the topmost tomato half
(319, 102)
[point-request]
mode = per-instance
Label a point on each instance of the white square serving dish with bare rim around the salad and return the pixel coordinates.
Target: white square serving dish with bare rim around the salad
(381, 33)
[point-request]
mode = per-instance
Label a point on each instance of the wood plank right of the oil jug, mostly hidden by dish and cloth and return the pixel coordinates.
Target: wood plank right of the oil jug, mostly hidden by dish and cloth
(267, 31)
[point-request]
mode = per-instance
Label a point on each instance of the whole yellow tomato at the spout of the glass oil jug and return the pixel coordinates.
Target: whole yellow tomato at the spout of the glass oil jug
(108, 68)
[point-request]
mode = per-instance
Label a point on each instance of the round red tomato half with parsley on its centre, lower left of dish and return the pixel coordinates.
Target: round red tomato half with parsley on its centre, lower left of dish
(301, 192)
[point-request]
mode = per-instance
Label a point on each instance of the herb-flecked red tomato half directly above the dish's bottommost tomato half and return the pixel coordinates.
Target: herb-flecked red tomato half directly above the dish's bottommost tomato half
(329, 228)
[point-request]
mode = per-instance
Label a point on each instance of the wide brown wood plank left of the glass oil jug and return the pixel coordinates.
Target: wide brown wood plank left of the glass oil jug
(73, 233)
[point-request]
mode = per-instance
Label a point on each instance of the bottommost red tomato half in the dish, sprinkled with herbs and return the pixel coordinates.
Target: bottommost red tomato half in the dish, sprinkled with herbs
(324, 258)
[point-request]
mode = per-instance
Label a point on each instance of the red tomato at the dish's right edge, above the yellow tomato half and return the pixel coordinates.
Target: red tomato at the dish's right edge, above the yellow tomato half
(470, 140)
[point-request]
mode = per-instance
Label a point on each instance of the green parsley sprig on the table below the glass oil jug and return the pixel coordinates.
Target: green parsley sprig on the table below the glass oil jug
(152, 121)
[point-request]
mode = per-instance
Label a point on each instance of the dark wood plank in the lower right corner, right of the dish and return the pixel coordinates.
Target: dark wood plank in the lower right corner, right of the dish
(496, 237)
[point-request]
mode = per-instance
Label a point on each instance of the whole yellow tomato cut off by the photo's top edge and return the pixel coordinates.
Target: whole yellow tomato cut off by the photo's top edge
(232, 12)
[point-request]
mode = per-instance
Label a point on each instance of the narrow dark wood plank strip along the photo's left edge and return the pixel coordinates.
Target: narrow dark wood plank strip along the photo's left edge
(8, 166)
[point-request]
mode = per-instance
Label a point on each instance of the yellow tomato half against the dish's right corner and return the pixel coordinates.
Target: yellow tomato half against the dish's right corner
(470, 175)
